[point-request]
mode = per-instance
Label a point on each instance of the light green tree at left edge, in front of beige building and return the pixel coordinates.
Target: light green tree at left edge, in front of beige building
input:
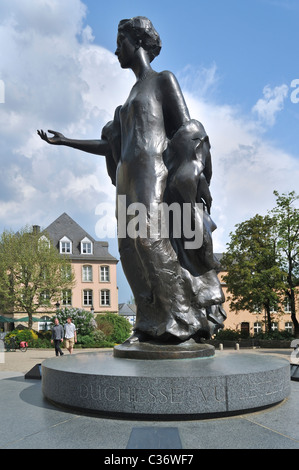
(32, 273)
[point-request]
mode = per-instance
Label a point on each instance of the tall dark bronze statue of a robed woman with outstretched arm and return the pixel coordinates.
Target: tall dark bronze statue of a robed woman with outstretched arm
(156, 153)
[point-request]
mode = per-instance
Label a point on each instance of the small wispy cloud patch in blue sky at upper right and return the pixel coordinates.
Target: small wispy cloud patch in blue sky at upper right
(267, 107)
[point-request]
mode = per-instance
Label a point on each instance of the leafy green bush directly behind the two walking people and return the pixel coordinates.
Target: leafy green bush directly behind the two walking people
(82, 319)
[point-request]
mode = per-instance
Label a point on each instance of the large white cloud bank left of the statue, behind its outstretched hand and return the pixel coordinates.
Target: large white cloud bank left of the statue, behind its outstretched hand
(55, 77)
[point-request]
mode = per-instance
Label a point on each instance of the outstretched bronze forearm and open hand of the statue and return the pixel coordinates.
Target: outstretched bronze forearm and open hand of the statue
(98, 147)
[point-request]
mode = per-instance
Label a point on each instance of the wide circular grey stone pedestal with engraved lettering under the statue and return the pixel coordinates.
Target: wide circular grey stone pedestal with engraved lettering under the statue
(228, 383)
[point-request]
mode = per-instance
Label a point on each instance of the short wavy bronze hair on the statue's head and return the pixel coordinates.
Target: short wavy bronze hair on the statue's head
(142, 30)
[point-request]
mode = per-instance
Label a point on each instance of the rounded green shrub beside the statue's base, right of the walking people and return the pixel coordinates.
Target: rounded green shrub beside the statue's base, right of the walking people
(116, 328)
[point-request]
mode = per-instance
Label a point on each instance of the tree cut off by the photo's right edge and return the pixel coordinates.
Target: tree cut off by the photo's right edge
(286, 220)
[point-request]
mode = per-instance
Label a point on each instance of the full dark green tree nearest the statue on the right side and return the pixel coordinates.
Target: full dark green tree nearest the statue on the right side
(254, 278)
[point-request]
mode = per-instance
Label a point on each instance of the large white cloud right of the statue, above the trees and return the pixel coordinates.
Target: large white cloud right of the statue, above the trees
(246, 167)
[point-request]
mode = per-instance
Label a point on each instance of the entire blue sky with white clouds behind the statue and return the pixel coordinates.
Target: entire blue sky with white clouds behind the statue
(235, 60)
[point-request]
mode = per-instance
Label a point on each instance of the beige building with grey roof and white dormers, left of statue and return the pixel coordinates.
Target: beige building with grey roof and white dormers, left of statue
(94, 268)
